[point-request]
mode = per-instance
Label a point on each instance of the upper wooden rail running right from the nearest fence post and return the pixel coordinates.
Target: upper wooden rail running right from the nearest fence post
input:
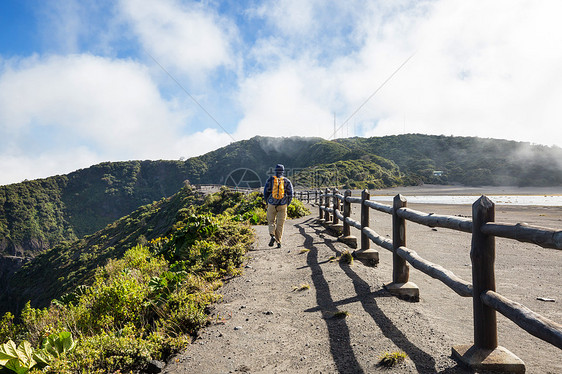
(523, 232)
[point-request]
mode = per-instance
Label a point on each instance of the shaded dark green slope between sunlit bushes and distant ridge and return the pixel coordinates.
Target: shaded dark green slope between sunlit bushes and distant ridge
(60, 269)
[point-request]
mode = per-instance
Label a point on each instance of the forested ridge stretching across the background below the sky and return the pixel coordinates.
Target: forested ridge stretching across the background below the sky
(35, 215)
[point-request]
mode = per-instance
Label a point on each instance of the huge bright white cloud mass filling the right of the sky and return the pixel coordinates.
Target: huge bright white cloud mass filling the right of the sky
(488, 69)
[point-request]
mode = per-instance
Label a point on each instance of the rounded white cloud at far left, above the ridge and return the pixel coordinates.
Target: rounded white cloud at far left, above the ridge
(112, 104)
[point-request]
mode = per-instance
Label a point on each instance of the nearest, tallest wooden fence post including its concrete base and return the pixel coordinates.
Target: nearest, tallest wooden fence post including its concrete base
(485, 354)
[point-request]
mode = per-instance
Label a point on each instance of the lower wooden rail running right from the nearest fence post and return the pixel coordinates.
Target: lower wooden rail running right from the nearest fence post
(525, 318)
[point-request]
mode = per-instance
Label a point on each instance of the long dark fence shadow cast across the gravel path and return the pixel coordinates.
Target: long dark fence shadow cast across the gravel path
(338, 329)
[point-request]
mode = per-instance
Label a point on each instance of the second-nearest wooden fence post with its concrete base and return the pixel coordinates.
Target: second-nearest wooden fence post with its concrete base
(400, 285)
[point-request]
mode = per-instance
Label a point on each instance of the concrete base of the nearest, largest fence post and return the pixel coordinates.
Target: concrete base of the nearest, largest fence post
(497, 360)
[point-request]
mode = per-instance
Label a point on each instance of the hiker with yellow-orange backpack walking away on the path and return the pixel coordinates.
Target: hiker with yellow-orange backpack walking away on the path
(278, 193)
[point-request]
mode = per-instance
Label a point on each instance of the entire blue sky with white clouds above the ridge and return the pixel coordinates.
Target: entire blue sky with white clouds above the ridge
(86, 81)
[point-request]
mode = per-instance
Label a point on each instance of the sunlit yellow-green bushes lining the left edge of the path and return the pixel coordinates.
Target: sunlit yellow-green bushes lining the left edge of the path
(144, 306)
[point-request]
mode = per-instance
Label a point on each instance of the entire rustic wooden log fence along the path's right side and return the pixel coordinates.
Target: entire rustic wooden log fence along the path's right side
(485, 352)
